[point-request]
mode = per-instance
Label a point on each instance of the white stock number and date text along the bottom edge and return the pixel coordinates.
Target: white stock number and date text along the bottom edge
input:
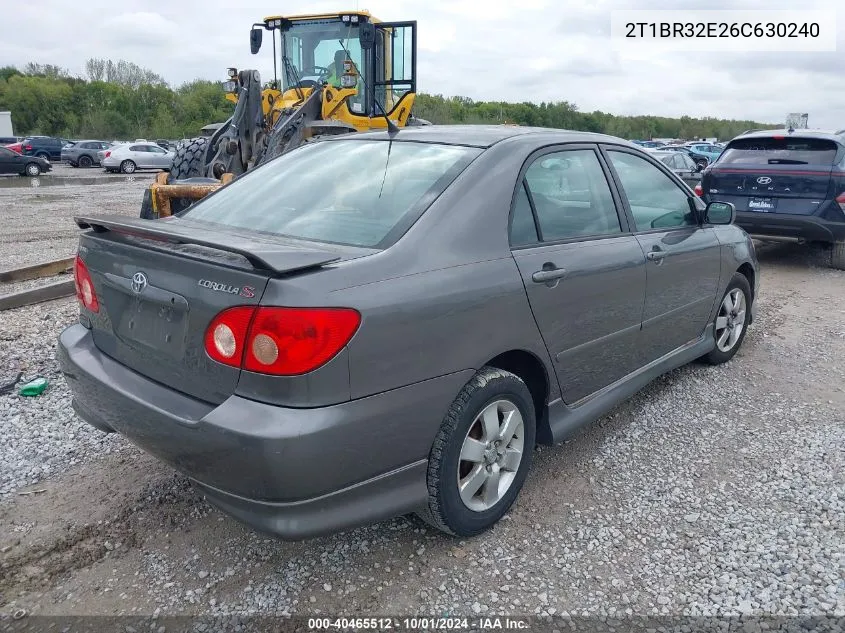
(417, 624)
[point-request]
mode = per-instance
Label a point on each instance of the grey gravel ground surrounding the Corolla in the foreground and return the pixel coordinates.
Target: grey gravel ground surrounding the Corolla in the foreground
(715, 491)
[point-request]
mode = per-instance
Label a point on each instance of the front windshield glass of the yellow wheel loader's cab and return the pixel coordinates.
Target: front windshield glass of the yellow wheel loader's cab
(316, 50)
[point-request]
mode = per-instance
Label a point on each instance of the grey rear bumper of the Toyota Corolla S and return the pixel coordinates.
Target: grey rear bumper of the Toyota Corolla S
(296, 473)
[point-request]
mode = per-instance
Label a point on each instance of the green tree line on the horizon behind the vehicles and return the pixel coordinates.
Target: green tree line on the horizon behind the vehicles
(123, 100)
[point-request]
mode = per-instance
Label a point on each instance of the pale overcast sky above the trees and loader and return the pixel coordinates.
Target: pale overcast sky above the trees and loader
(515, 50)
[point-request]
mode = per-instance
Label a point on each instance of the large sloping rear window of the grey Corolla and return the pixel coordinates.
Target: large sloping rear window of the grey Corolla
(354, 192)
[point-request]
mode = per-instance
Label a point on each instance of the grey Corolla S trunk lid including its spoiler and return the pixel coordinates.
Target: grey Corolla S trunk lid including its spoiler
(160, 284)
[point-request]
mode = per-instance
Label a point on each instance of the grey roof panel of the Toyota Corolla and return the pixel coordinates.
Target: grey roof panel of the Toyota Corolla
(484, 136)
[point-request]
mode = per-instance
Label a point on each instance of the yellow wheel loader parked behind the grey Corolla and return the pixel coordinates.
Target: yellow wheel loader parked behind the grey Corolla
(332, 74)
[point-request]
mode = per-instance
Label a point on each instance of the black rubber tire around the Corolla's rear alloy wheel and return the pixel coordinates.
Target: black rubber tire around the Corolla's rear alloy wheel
(446, 510)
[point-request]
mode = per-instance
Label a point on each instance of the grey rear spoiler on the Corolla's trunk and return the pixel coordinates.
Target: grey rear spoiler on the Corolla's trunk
(275, 258)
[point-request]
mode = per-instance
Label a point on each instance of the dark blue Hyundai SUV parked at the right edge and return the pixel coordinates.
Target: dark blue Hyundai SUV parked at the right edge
(785, 186)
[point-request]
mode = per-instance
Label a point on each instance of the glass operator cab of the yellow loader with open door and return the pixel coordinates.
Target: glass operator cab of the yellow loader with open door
(312, 50)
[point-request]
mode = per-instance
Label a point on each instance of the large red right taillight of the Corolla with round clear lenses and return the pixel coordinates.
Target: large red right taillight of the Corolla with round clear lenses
(280, 341)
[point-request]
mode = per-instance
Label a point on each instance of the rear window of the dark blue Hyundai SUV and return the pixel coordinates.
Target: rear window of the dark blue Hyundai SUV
(774, 151)
